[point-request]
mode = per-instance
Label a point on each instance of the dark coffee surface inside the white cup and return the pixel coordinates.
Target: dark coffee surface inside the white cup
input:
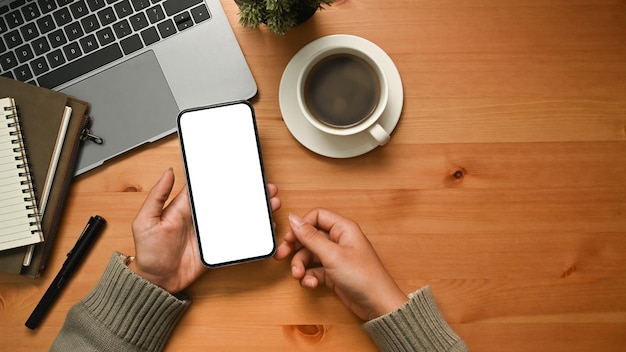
(341, 90)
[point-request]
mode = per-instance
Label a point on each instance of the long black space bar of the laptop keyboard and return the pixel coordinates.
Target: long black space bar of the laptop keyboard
(81, 66)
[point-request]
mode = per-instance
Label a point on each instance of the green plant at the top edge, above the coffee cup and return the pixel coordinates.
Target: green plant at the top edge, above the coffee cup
(278, 15)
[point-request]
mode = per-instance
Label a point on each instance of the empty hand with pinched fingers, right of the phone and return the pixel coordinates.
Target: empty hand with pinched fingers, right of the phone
(332, 250)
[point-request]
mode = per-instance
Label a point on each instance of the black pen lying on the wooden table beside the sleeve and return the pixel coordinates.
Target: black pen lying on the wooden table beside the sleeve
(74, 258)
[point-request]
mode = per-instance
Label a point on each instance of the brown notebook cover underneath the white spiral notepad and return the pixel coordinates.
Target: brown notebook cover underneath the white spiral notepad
(41, 113)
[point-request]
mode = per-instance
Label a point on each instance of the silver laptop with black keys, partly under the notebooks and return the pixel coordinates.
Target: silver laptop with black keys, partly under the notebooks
(137, 62)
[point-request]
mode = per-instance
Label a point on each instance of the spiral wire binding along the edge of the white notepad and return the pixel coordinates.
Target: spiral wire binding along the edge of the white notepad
(25, 172)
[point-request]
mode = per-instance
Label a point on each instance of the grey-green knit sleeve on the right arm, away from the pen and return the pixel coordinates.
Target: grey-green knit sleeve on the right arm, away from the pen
(416, 326)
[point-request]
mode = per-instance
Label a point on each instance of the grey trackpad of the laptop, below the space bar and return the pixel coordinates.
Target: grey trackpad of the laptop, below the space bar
(130, 103)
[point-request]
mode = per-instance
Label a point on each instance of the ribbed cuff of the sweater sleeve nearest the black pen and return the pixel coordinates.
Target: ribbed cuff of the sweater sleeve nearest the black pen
(133, 309)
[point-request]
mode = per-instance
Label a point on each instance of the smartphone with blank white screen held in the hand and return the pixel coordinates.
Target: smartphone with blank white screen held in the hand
(225, 176)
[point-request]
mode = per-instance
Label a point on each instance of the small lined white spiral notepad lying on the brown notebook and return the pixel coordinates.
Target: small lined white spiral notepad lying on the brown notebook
(20, 224)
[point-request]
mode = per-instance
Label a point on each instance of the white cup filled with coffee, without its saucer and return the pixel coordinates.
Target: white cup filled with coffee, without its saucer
(342, 91)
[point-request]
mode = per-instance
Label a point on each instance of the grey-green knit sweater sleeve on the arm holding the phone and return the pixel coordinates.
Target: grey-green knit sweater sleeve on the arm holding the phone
(122, 313)
